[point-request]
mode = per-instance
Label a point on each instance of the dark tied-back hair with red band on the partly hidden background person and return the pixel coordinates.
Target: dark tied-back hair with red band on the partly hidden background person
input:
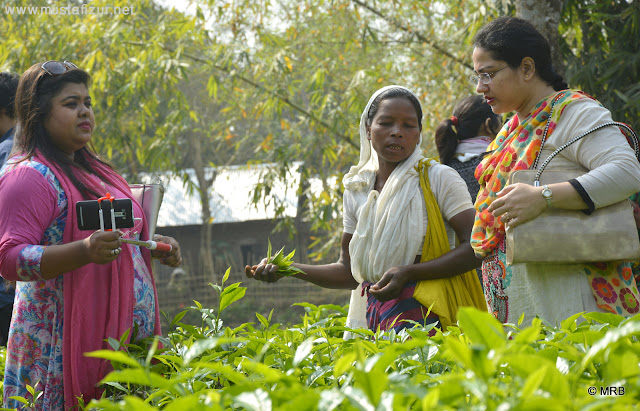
(471, 113)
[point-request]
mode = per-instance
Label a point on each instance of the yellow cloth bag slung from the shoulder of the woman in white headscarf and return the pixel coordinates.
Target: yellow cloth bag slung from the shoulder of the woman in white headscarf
(446, 294)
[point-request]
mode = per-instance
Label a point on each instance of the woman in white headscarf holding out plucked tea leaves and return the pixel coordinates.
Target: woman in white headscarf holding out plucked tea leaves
(402, 216)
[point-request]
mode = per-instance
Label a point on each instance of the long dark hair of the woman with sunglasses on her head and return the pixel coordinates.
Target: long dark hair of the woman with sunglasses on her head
(36, 90)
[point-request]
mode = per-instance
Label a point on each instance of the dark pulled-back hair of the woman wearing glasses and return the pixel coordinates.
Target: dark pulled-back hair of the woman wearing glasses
(511, 39)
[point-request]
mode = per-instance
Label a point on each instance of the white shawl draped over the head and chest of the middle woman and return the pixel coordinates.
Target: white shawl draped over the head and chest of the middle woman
(389, 229)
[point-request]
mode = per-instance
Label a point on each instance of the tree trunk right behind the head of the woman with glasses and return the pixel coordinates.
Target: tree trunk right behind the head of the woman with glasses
(546, 22)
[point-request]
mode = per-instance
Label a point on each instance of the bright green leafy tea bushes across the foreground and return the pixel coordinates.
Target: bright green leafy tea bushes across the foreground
(479, 365)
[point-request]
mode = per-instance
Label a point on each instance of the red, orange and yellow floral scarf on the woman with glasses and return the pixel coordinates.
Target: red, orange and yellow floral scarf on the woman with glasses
(515, 148)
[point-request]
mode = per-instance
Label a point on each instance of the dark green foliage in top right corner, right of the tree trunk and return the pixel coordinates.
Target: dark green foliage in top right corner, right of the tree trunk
(601, 44)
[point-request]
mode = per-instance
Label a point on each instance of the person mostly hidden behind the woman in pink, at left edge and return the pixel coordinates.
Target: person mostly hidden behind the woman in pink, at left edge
(8, 87)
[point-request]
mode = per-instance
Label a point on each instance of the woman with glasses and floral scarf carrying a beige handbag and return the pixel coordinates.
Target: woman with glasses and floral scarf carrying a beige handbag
(512, 61)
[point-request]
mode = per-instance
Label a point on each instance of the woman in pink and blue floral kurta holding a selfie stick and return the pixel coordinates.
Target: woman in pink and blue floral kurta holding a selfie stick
(75, 289)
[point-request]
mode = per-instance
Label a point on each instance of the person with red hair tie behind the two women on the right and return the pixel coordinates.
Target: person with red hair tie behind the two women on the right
(462, 140)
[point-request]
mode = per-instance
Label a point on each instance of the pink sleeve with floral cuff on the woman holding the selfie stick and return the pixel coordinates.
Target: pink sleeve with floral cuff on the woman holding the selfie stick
(28, 206)
